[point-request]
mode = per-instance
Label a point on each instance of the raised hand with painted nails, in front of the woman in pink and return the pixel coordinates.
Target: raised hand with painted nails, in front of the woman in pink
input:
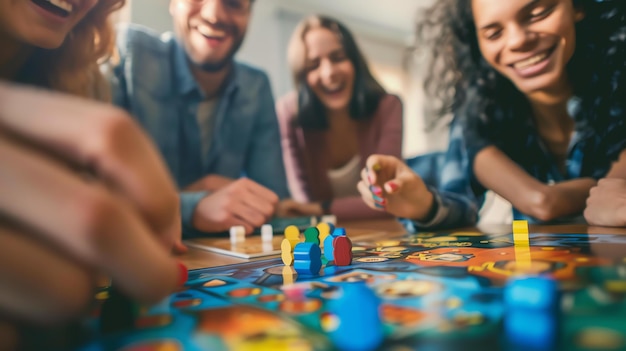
(394, 188)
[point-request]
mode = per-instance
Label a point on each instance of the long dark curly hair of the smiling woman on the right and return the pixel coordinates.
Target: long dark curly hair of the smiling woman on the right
(460, 81)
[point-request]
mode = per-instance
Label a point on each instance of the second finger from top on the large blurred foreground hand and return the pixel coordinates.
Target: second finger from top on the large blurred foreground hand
(85, 221)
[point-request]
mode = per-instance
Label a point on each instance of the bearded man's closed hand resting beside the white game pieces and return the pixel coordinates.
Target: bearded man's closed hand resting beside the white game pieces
(243, 202)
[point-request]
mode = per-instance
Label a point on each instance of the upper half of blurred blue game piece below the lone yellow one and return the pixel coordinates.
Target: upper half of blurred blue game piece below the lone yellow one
(538, 293)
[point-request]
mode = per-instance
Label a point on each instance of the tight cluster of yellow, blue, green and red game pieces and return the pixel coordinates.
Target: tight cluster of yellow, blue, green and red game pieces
(306, 257)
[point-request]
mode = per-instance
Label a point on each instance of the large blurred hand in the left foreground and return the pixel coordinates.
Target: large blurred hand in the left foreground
(83, 191)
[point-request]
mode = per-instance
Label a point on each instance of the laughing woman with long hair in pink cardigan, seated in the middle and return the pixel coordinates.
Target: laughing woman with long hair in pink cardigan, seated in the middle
(337, 117)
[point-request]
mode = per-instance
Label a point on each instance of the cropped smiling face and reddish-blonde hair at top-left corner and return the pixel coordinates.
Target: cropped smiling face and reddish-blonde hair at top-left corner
(57, 46)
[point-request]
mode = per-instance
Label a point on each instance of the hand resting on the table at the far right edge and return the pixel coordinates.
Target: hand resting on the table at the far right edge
(606, 204)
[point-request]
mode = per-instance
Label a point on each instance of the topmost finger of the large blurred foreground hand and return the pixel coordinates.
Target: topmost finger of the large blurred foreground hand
(107, 143)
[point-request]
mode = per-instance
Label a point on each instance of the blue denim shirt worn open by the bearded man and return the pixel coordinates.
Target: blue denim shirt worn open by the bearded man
(153, 82)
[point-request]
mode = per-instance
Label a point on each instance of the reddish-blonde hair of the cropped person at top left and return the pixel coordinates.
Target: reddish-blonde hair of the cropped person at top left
(74, 67)
